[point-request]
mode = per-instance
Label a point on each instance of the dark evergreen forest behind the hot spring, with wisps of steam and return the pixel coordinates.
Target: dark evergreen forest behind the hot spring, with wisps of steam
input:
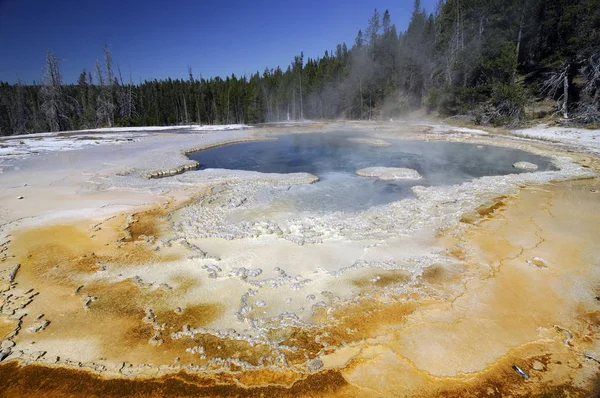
(487, 59)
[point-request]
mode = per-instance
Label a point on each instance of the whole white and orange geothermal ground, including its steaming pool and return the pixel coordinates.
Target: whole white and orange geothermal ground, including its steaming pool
(131, 266)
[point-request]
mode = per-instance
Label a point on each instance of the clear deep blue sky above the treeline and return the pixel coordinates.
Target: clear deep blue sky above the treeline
(160, 39)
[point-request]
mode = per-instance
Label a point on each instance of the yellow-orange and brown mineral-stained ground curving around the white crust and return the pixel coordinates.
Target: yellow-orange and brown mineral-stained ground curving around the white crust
(513, 310)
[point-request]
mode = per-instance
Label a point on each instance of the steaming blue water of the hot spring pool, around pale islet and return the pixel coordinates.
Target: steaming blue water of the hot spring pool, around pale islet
(334, 159)
